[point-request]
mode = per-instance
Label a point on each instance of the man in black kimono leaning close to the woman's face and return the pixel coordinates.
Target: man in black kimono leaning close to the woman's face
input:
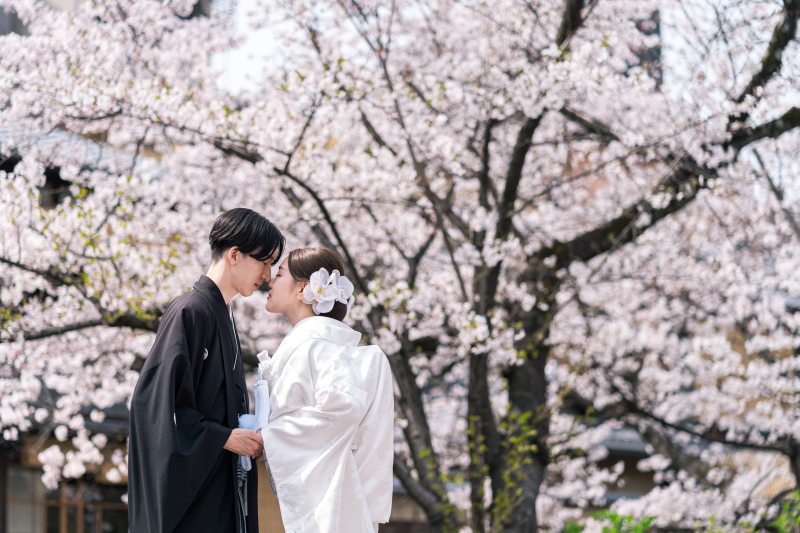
(183, 471)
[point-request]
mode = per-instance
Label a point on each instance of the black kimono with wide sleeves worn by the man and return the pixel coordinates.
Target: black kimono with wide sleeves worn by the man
(185, 405)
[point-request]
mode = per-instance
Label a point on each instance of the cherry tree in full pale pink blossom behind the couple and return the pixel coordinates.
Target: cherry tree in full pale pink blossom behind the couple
(560, 218)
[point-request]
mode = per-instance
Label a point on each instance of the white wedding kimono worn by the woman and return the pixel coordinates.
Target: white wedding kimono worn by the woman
(328, 439)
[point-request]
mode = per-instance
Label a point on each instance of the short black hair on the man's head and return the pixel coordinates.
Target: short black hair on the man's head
(252, 233)
